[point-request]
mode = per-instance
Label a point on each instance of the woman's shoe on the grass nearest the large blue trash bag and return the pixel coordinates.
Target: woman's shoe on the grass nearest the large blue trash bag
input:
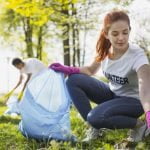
(93, 134)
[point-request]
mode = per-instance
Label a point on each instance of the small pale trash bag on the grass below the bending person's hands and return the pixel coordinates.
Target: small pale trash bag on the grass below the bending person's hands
(13, 107)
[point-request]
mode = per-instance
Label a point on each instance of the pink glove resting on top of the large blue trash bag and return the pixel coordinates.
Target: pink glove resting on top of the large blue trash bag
(65, 69)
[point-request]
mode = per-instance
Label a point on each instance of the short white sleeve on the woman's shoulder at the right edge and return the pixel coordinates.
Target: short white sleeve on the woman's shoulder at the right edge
(139, 60)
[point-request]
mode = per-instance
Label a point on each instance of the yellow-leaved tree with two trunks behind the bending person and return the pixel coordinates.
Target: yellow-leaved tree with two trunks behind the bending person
(31, 16)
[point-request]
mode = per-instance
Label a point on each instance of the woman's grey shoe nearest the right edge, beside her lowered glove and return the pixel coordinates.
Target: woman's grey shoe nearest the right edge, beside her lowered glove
(137, 134)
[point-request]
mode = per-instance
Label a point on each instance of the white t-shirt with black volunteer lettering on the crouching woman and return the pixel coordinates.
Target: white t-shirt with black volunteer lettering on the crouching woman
(122, 73)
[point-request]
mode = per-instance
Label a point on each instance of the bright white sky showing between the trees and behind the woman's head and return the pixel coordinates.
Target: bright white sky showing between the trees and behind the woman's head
(10, 75)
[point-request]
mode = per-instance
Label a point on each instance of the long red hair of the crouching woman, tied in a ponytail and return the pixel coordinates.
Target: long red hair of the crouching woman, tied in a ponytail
(103, 45)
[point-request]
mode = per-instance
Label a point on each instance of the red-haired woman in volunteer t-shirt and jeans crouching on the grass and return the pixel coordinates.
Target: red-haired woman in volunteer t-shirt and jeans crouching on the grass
(121, 102)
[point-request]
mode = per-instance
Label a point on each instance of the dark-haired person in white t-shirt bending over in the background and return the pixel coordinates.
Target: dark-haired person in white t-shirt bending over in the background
(30, 67)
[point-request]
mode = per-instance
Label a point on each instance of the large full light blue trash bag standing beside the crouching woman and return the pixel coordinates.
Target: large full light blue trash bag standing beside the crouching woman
(45, 108)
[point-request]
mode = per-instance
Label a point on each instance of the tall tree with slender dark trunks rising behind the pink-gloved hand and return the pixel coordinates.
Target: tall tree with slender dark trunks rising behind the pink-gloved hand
(71, 23)
